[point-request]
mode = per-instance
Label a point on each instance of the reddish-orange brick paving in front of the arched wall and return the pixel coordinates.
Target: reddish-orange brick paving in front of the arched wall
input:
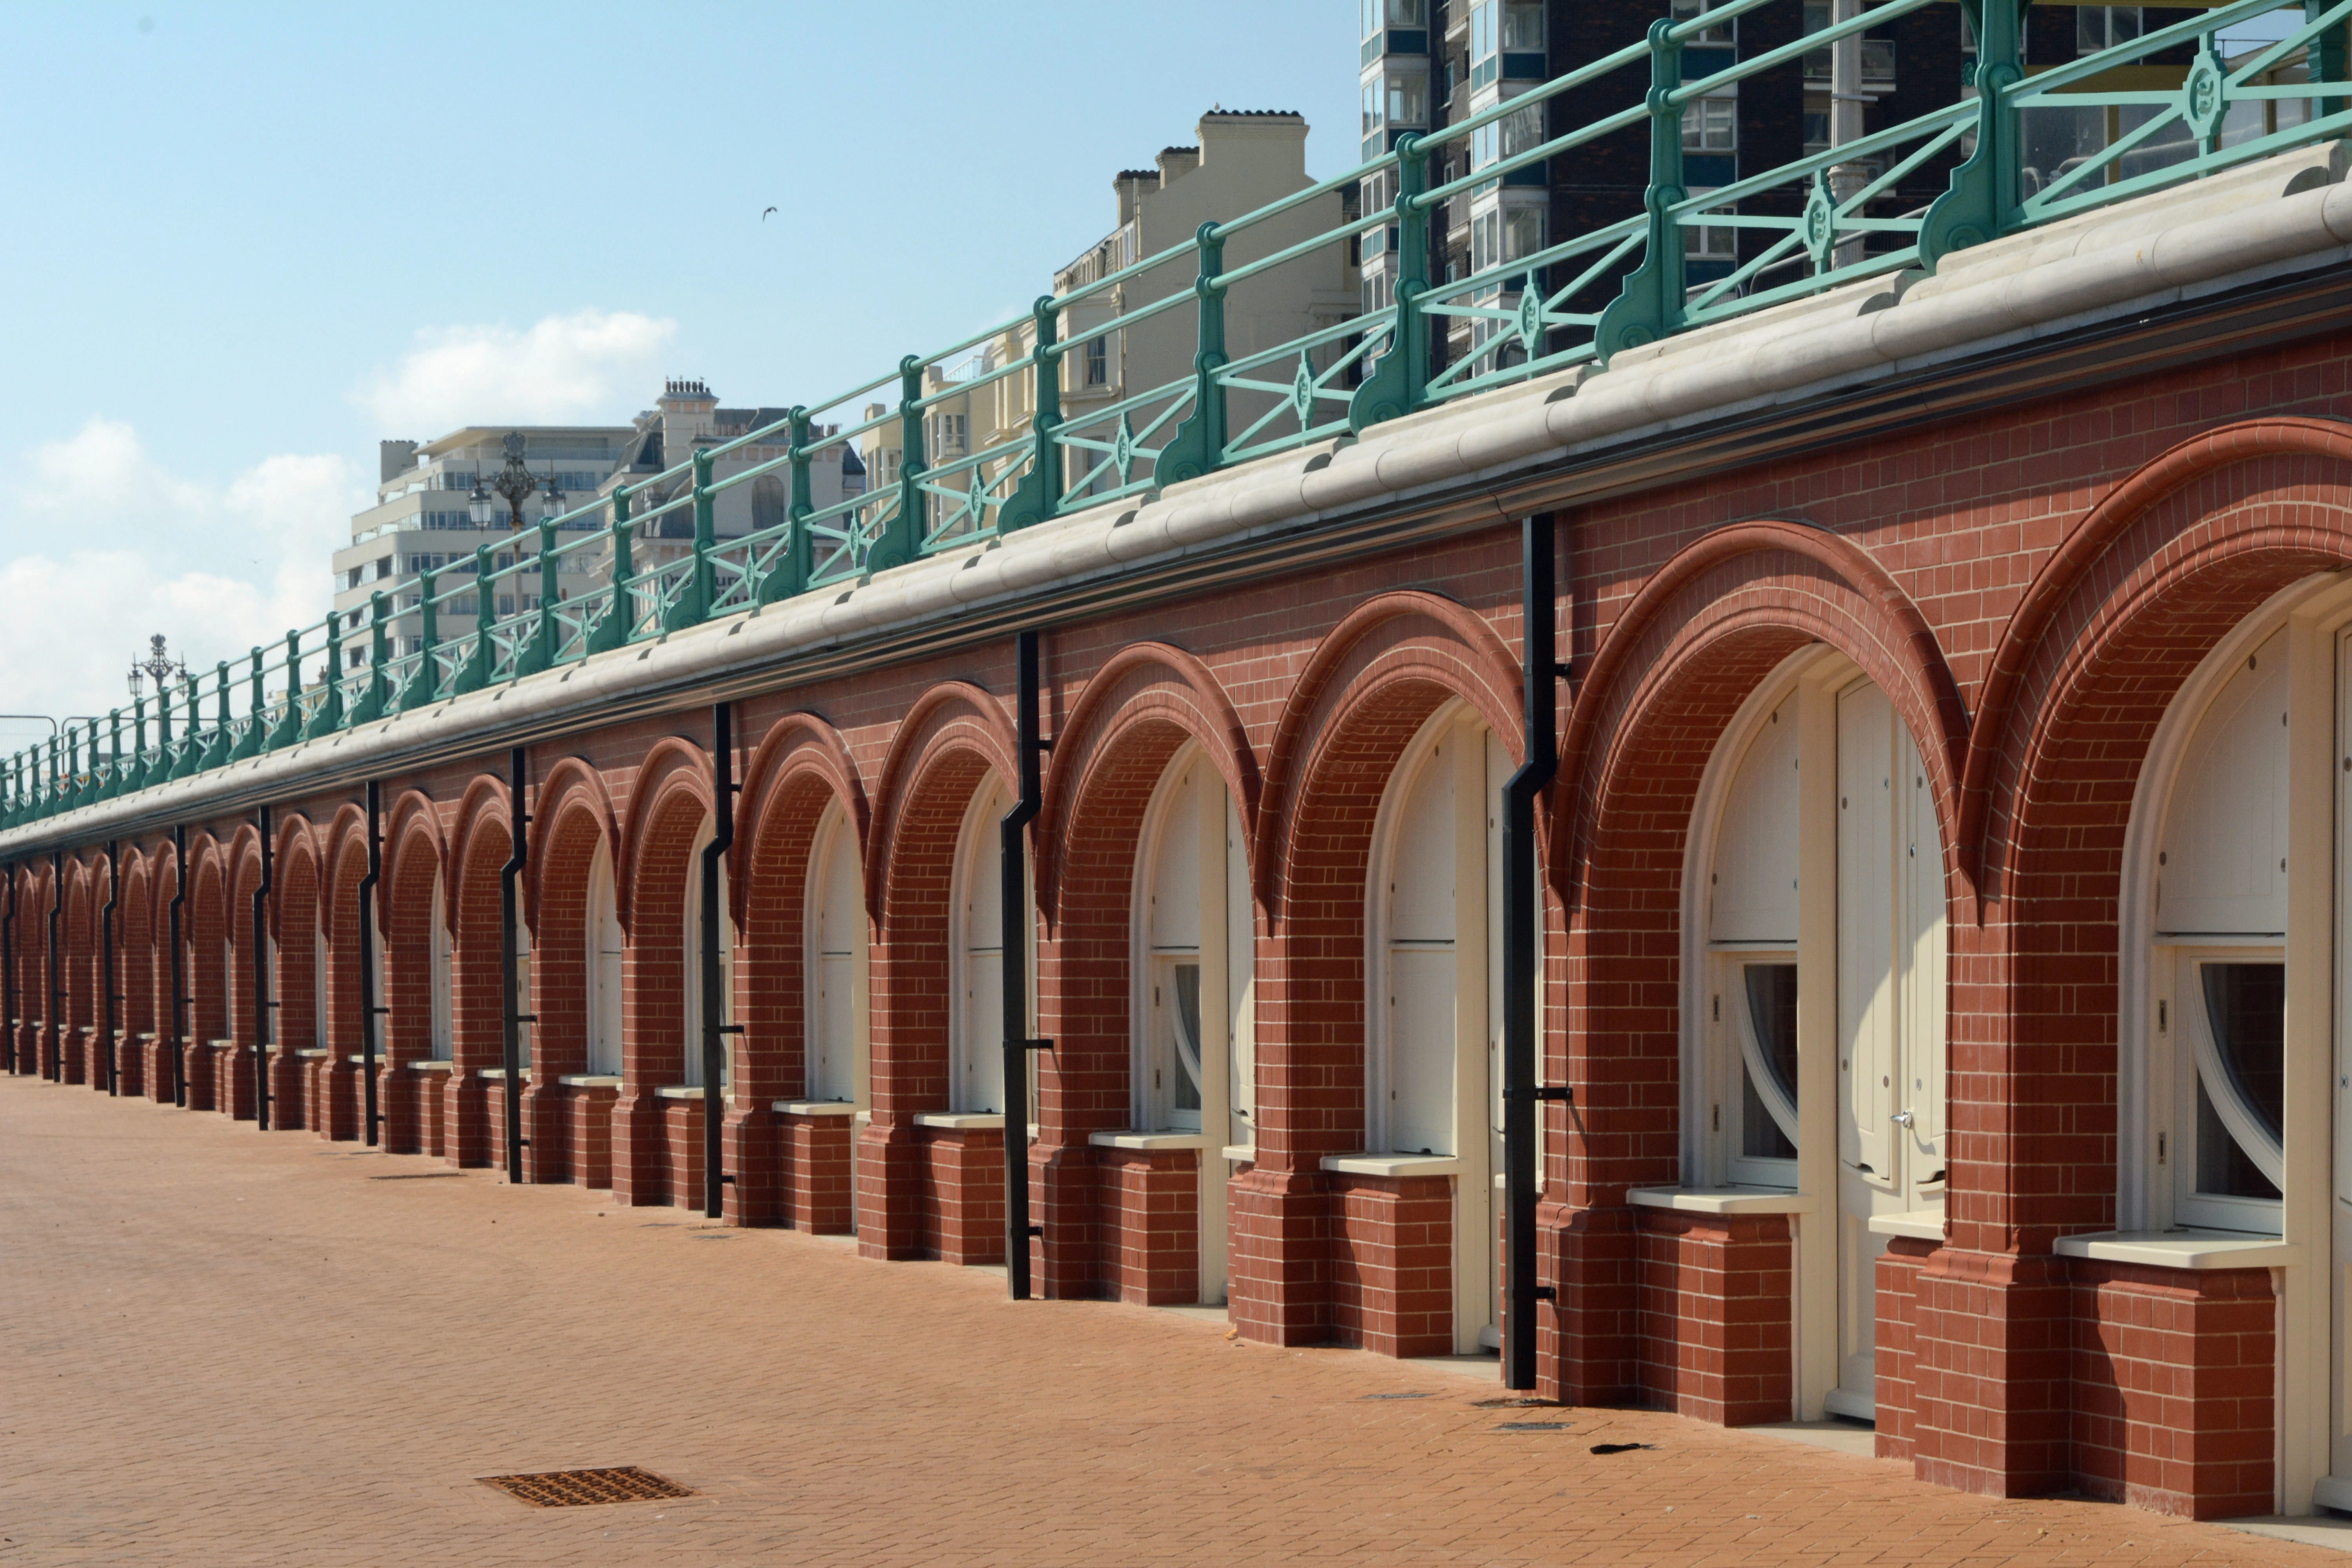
(239, 1348)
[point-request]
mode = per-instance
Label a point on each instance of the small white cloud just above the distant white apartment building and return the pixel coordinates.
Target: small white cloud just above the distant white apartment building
(563, 368)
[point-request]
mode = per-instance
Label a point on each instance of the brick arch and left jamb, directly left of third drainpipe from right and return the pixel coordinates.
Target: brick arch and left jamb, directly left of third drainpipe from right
(664, 815)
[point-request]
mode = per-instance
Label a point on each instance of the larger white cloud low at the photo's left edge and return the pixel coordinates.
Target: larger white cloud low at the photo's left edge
(114, 547)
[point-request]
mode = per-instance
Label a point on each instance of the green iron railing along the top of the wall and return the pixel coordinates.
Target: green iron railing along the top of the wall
(2010, 152)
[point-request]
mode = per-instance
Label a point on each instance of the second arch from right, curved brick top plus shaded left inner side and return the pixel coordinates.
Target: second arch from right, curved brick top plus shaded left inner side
(1666, 683)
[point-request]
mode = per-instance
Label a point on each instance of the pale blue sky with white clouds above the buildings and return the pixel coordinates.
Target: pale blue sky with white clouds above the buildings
(248, 241)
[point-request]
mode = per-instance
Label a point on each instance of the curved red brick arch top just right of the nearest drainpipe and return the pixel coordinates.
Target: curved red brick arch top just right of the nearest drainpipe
(1746, 577)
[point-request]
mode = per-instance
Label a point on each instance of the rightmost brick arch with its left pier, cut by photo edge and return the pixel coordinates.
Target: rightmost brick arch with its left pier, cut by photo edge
(2078, 723)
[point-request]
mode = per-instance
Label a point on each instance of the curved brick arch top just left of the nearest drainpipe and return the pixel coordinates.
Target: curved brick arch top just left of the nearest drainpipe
(1389, 645)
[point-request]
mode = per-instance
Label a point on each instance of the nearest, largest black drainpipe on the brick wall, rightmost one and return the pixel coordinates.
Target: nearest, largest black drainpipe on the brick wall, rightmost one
(1523, 956)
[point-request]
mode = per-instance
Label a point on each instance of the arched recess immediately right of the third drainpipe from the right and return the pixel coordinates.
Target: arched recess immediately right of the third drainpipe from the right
(803, 805)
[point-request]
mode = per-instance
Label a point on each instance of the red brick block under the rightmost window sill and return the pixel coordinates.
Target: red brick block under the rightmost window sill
(2174, 1388)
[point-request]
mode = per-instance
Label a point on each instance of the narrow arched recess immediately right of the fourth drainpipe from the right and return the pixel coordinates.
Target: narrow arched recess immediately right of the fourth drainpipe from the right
(577, 946)
